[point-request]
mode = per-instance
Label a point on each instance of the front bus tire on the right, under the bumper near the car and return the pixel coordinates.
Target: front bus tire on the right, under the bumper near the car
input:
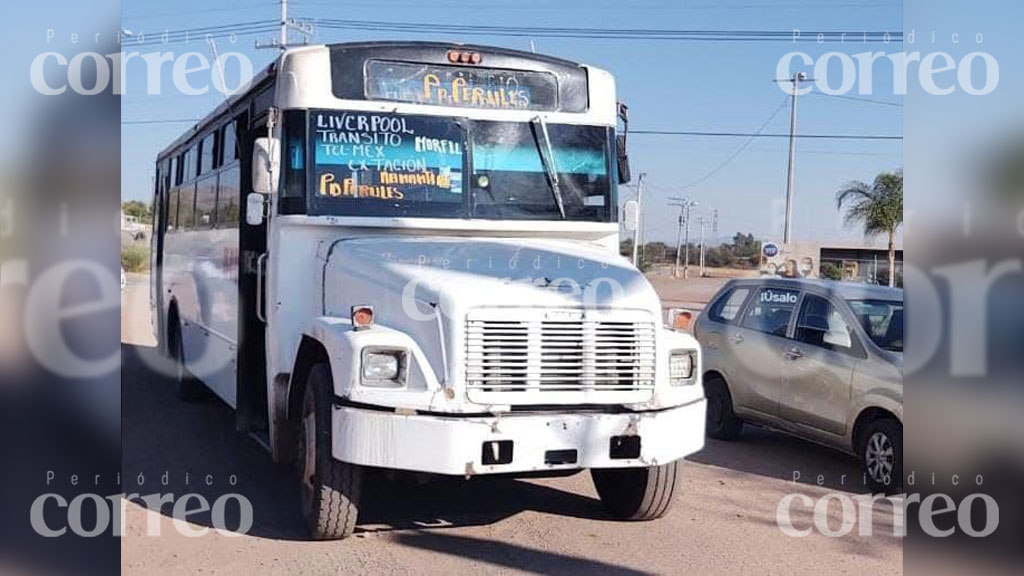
(637, 495)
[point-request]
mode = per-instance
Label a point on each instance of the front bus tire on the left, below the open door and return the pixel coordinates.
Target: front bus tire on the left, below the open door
(330, 490)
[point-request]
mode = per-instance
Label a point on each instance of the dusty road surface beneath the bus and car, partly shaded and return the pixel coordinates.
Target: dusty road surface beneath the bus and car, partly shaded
(723, 522)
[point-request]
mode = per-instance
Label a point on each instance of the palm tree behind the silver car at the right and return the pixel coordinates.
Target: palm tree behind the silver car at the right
(879, 209)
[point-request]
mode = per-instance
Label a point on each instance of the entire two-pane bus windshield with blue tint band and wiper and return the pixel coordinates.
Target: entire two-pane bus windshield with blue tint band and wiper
(433, 167)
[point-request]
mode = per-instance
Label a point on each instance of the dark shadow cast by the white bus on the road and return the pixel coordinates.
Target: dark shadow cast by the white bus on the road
(170, 447)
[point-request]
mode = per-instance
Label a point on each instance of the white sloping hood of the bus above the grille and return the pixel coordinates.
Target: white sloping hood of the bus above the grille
(412, 280)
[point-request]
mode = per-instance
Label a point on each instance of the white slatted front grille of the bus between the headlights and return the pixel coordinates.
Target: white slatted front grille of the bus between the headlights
(520, 356)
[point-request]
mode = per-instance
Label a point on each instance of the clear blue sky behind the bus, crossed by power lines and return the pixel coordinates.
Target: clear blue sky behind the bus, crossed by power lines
(669, 85)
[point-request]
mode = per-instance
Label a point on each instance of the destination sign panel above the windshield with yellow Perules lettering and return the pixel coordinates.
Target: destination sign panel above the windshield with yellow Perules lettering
(461, 88)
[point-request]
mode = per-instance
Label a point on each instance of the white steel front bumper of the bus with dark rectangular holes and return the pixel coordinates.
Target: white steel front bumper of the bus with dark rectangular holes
(517, 443)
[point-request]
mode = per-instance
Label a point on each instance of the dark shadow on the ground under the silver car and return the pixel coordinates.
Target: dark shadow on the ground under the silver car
(778, 456)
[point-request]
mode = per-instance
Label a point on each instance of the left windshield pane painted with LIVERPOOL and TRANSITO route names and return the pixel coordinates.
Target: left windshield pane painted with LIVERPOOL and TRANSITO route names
(388, 157)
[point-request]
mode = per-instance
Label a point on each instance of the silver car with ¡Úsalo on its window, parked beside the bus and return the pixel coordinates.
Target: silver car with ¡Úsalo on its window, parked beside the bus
(820, 360)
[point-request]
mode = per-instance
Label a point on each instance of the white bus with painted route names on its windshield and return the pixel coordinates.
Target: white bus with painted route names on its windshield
(405, 256)
